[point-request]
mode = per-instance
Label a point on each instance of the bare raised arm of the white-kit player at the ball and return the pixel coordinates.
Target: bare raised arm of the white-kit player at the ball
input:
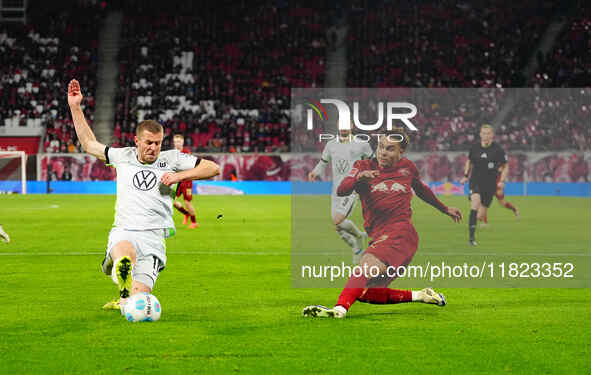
(83, 131)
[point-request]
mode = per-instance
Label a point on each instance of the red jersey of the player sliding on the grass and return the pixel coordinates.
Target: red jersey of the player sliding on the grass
(385, 199)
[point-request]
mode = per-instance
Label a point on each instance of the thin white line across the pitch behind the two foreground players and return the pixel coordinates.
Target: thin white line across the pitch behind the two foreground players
(262, 253)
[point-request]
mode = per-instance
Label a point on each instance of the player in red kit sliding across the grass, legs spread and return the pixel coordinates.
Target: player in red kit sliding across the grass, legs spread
(384, 187)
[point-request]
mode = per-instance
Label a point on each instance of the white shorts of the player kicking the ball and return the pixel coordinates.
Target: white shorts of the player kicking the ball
(150, 252)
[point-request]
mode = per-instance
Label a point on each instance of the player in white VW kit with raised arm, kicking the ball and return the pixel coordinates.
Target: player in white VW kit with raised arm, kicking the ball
(136, 250)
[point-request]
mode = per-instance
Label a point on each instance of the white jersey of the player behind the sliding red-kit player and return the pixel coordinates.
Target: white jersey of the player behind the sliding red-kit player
(342, 156)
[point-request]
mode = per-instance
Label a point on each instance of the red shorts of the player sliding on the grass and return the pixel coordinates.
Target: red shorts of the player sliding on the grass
(397, 246)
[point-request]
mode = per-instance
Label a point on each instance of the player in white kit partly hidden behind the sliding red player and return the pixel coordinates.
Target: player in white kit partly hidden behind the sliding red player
(342, 153)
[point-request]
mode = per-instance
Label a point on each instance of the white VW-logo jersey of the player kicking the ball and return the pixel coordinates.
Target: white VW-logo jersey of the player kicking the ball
(143, 202)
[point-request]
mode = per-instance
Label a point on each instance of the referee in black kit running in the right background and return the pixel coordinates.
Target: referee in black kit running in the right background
(485, 160)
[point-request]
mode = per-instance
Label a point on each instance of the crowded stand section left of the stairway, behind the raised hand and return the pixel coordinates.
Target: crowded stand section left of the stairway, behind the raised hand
(37, 61)
